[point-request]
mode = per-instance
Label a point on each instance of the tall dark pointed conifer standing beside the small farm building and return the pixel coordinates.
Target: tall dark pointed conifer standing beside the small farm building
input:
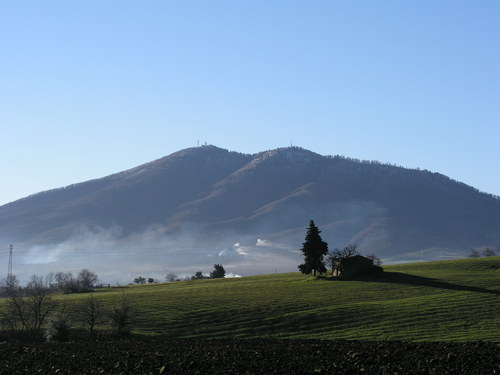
(314, 249)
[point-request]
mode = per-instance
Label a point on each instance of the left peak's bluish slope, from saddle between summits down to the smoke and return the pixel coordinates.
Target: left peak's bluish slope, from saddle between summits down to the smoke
(133, 199)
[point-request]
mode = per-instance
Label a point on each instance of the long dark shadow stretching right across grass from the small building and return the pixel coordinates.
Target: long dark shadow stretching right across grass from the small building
(403, 278)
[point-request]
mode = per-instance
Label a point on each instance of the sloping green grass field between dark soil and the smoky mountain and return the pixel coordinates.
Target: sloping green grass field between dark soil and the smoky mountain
(456, 300)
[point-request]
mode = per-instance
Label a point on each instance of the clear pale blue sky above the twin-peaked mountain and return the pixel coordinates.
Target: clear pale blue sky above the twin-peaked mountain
(90, 88)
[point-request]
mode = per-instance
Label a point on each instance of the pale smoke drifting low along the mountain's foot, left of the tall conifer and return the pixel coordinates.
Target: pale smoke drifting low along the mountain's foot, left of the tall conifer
(152, 253)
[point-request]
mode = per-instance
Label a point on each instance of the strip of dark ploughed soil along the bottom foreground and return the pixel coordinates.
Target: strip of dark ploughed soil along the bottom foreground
(250, 357)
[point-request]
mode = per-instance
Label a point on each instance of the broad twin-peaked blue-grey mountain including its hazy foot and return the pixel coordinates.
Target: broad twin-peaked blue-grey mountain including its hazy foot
(205, 203)
